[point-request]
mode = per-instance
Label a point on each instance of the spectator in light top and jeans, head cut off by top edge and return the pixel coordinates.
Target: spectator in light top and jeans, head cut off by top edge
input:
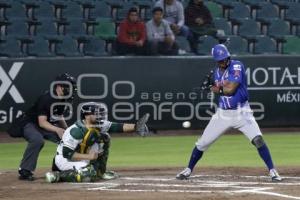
(174, 14)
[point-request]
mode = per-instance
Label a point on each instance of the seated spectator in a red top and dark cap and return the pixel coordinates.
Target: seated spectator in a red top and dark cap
(132, 35)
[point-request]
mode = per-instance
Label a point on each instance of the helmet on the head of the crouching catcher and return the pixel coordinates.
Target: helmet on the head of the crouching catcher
(93, 108)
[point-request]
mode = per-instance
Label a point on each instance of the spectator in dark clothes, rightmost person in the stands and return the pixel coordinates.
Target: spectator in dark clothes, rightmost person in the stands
(199, 21)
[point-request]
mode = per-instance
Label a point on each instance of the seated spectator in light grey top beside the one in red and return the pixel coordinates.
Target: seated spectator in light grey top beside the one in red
(161, 39)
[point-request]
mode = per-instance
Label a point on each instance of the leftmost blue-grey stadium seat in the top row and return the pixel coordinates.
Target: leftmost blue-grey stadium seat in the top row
(17, 10)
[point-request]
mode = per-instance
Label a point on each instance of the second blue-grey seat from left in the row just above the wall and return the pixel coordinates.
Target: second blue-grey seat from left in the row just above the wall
(39, 47)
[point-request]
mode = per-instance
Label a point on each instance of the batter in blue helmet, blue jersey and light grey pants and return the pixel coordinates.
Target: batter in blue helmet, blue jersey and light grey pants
(233, 112)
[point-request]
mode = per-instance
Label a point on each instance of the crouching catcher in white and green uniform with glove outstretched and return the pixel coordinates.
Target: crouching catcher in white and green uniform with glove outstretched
(83, 151)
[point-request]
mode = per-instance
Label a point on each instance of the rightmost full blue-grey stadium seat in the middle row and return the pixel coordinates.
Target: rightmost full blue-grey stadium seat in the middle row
(278, 29)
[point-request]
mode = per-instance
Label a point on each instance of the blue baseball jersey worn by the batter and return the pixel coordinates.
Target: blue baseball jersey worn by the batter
(235, 72)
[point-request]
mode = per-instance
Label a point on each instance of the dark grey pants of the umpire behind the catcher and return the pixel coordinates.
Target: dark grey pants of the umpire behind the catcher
(35, 137)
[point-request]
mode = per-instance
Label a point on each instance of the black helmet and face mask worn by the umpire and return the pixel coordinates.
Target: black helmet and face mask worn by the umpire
(65, 77)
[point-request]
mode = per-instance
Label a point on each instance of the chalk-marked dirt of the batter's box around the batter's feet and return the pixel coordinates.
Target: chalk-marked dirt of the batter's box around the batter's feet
(223, 184)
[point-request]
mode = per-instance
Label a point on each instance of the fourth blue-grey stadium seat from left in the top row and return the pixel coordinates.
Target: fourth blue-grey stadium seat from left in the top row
(101, 9)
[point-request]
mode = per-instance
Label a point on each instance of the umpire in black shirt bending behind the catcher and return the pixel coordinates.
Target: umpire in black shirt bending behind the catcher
(43, 121)
